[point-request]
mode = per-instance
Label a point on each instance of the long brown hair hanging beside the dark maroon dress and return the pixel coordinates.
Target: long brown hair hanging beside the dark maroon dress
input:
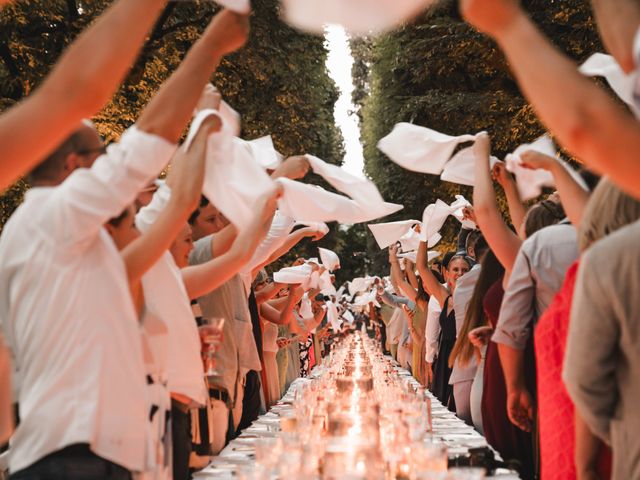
(491, 272)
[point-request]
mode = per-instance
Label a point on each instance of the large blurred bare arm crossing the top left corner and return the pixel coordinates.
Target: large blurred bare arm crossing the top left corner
(84, 79)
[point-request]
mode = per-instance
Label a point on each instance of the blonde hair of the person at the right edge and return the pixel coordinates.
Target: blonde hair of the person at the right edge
(608, 210)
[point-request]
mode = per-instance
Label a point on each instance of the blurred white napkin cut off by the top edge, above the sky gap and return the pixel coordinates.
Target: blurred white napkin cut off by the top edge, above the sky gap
(360, 17)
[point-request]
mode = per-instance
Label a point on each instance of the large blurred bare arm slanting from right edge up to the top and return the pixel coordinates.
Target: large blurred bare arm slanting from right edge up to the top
(585, 119)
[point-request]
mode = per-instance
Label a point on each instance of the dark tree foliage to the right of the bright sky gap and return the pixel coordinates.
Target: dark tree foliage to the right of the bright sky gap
(440, 73)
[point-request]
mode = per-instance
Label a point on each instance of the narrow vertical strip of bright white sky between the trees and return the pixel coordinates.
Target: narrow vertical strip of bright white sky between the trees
(339, 63)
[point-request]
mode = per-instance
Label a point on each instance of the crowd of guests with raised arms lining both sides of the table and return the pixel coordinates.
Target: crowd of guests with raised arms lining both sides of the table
(142, 331)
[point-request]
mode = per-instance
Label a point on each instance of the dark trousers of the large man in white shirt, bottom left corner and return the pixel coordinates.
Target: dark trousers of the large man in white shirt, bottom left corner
(76, 462)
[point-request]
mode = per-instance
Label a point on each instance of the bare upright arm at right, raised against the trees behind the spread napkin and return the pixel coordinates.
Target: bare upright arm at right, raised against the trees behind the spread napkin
(504, 243)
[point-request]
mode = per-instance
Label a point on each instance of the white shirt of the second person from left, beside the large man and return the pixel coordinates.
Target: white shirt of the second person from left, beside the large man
(166, 295)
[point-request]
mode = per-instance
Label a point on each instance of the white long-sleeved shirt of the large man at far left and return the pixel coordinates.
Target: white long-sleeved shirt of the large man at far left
(67, 312)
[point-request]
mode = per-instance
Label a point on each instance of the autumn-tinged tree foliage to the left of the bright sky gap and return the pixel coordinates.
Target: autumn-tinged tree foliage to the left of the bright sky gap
(278, 82)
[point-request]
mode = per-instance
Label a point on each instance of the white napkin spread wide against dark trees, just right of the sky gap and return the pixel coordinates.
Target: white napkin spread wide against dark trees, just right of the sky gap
(420, 149)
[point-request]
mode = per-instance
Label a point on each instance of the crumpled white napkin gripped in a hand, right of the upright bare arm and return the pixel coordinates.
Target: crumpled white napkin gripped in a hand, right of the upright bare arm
(530, 182)
